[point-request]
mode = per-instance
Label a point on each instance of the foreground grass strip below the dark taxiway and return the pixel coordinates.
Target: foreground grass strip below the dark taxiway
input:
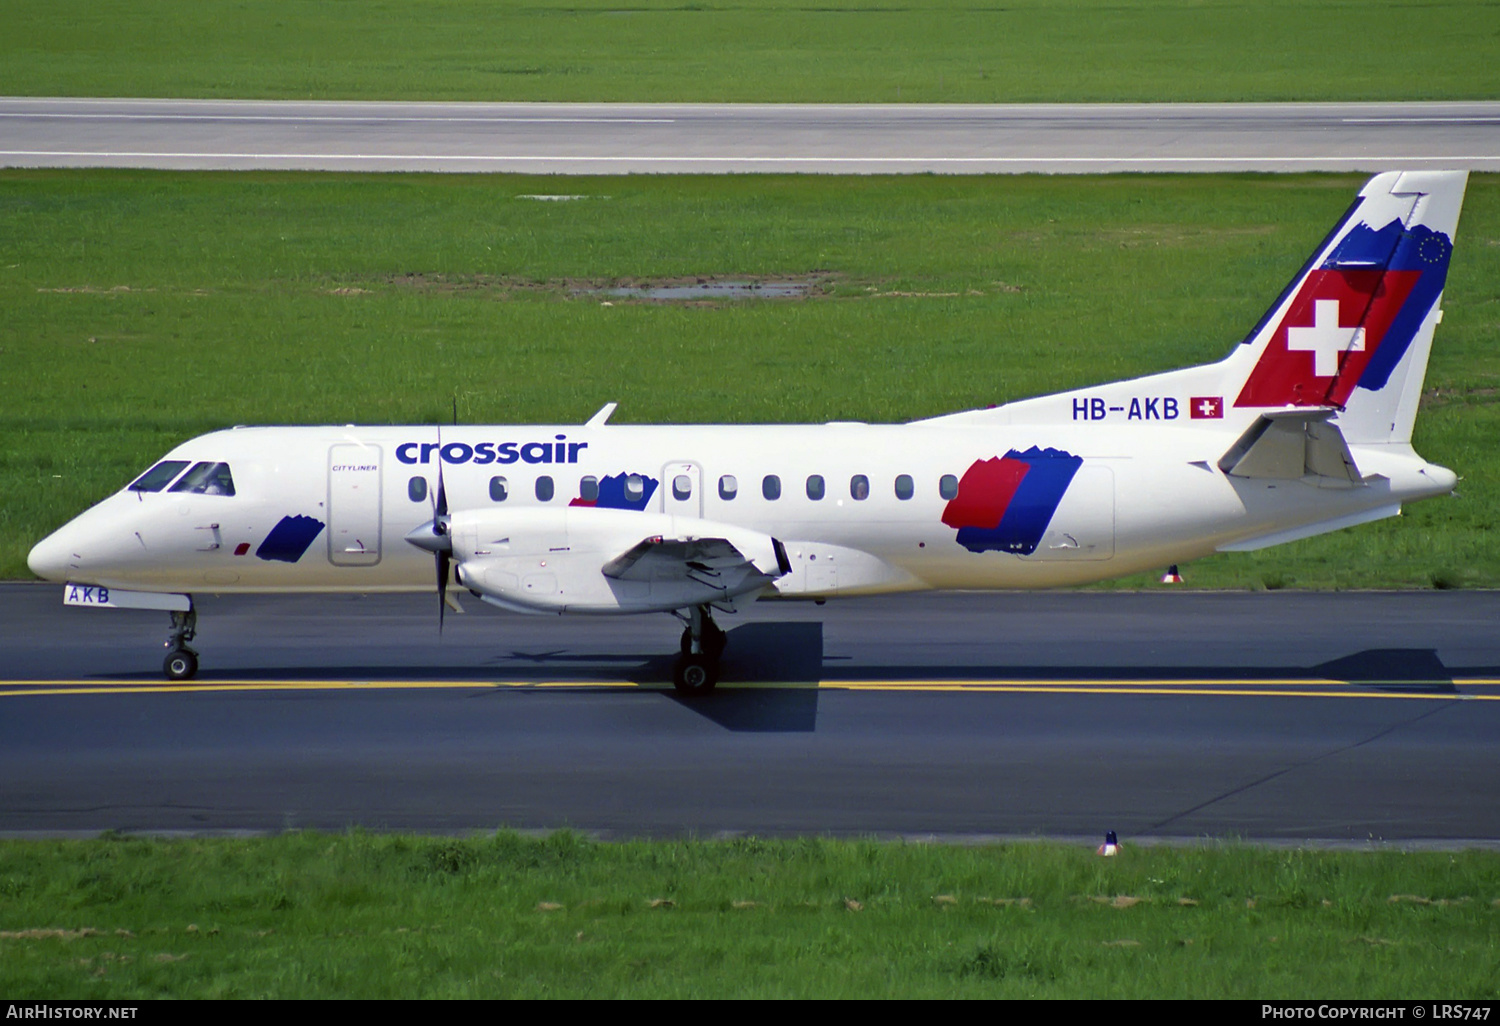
(316, 916)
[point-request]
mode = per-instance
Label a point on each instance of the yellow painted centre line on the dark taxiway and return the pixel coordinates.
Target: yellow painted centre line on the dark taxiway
(1286, 688)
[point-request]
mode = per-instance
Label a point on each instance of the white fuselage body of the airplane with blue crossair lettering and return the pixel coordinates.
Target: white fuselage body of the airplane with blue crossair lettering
(1141, 497)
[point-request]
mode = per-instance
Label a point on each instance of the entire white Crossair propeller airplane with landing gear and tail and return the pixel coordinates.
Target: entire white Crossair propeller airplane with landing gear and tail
(1304, 428)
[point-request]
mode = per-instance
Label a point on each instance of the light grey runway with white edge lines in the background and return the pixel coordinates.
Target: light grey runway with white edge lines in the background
(628, 139)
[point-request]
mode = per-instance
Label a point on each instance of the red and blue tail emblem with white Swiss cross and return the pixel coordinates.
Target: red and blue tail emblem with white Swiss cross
(1352, 319)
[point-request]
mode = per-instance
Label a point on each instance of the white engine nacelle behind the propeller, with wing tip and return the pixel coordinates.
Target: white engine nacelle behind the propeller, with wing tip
(608, 562)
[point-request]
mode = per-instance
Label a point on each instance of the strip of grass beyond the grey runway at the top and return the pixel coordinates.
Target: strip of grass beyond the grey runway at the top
(848, 52)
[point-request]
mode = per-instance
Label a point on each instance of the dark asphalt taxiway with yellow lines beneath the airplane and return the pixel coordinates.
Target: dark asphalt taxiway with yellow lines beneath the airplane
(1345, 719)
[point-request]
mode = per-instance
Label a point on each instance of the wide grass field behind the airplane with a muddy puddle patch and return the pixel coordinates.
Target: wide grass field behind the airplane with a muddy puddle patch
(145, 308)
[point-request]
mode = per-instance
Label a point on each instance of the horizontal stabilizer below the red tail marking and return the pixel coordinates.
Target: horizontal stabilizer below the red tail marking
(1291, 445)
